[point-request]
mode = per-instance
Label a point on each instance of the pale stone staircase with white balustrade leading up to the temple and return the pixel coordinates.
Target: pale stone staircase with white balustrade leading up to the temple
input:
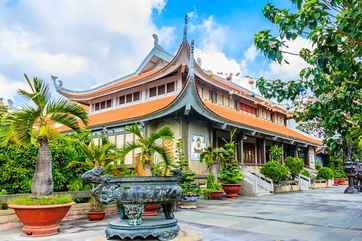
(255, 183)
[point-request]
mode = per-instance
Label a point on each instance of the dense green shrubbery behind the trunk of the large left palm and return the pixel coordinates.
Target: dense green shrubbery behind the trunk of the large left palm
(17, 164)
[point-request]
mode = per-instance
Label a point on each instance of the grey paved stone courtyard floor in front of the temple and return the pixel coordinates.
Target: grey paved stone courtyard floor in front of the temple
(317, 215)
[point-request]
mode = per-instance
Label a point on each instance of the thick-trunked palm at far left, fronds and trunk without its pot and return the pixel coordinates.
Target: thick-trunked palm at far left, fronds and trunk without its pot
(36, 122)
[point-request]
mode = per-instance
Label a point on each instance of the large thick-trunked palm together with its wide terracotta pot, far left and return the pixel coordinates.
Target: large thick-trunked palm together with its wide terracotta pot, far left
(41, 212)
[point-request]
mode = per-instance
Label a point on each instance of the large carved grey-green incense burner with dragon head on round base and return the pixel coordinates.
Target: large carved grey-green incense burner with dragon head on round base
(131, 194)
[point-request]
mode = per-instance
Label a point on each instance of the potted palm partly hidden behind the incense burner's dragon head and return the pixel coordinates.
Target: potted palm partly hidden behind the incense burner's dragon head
(103, 155)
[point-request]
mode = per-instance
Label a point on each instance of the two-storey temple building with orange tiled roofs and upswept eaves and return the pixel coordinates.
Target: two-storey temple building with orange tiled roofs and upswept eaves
(200, 107)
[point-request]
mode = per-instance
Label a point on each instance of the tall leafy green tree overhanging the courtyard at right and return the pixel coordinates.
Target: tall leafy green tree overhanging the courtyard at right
(328, 91)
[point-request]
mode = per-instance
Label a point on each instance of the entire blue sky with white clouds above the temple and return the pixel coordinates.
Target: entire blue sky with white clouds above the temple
(87, 43)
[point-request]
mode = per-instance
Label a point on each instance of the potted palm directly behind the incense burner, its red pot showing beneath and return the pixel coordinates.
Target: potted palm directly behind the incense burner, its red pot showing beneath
(145, 164)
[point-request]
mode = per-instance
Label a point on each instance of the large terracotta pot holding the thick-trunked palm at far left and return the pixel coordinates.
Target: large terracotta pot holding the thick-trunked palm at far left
(41, 220)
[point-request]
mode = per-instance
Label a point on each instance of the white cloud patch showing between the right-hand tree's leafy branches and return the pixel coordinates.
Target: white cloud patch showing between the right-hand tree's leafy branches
(296, 64)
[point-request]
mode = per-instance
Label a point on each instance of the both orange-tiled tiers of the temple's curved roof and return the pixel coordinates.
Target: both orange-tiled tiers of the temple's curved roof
(159, 64)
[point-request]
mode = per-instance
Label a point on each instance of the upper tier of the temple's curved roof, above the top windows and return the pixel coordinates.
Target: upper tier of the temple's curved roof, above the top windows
(157, 64)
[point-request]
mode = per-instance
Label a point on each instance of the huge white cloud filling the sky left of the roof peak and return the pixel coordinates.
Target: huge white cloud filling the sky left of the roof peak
(83, 42)
